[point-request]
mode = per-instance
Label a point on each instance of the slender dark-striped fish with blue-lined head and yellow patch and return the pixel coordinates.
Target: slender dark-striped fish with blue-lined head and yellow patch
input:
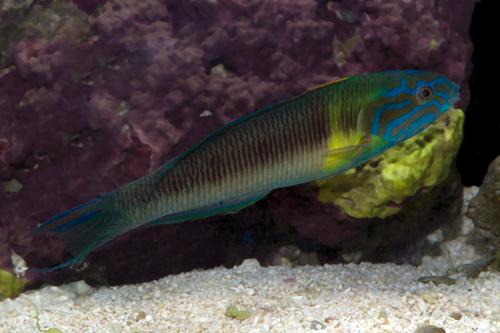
(318, 134)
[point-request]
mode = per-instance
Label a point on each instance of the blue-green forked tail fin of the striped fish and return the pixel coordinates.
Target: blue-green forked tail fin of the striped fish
(84, 228)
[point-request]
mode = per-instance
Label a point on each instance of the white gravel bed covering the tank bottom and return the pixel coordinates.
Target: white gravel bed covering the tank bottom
(367, 297)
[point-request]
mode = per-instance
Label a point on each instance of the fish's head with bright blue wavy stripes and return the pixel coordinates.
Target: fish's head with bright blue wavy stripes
(409, 101)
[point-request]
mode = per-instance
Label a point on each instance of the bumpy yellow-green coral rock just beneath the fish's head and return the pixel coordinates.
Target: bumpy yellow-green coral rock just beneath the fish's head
(377, 188)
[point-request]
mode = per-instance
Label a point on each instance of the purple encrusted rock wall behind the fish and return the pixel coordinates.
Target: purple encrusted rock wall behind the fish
(117, 87)
